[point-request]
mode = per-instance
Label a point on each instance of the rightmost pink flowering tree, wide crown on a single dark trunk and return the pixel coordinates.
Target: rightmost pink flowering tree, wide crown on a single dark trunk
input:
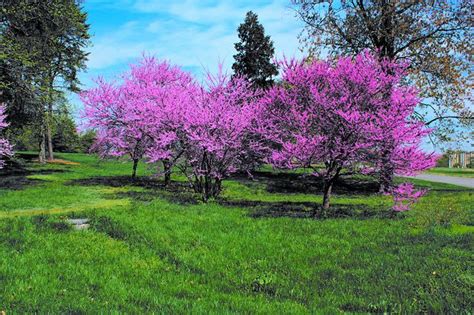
(341, 115)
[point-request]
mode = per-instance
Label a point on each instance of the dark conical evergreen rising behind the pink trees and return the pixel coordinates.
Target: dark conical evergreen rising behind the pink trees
(254, 53)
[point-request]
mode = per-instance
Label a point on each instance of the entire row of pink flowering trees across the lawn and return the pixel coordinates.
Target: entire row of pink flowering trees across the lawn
(350, 115)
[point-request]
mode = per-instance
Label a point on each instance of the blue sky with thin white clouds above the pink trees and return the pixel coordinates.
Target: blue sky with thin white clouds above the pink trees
(194, 34)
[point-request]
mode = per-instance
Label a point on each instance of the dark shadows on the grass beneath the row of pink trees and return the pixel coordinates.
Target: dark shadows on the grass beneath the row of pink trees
(181, 193)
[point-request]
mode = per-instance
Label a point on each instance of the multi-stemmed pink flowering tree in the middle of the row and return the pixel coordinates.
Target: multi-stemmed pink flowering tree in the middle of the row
(219, 134)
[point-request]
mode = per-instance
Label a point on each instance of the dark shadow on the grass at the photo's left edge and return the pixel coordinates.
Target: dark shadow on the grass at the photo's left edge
(14, 176)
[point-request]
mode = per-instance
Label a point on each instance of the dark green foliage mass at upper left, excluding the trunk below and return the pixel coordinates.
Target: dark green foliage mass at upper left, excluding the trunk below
(38, 38)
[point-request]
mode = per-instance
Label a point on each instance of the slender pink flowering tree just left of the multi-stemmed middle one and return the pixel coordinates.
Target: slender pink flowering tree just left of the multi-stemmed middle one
(161, 93)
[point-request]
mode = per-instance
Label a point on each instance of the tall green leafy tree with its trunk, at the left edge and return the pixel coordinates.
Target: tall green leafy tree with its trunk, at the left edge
(46, 41)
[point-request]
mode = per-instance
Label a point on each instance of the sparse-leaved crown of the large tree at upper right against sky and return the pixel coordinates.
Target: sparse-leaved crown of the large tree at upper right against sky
(434, 36)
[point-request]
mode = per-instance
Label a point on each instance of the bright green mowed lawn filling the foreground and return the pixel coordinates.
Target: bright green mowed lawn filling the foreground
(255, 250)
